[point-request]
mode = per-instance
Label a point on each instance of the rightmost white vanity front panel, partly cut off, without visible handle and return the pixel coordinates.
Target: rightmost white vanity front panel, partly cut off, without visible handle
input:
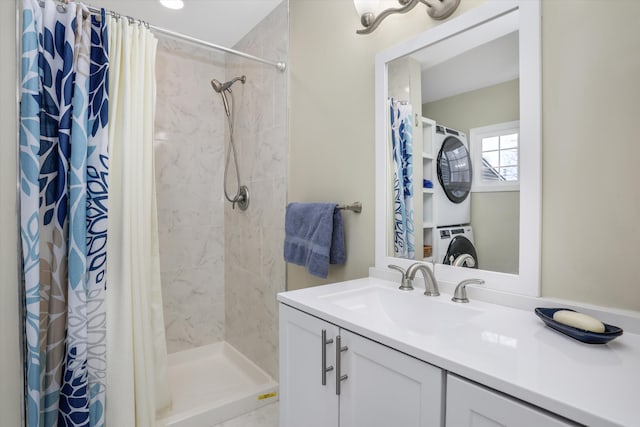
(469, 404)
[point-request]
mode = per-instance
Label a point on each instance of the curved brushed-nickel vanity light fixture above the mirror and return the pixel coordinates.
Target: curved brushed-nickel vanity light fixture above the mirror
(370, 16)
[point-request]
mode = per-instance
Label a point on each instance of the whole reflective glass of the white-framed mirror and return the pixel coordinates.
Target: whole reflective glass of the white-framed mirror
(454, 144)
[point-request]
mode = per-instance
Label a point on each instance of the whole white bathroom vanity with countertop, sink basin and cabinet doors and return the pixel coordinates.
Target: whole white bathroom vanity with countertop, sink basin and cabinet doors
(413, 360)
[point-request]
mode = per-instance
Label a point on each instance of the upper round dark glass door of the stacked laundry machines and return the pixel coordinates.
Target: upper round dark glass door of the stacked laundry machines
(454, 169)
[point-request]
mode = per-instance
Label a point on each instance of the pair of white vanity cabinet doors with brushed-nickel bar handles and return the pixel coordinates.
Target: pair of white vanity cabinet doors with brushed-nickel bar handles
(381, 386)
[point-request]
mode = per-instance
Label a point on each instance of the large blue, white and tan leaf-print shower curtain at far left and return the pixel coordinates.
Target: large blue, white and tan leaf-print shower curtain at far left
(63, 204)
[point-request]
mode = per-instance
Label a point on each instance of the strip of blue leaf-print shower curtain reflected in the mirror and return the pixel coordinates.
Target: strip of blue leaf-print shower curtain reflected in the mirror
(402, 147)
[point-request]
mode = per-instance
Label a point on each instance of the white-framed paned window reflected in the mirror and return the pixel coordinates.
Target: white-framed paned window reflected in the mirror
(495, 151)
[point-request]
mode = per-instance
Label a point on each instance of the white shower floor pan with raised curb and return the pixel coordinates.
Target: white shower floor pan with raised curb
(215, 383)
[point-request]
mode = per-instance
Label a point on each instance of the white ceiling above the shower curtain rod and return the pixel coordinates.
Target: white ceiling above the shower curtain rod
(222, 22)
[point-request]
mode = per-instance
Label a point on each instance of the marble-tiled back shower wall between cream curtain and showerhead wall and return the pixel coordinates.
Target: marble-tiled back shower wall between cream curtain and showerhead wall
(189, 150)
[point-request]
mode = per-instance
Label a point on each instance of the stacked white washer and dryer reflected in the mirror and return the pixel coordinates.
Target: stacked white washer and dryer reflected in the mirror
(453, 239)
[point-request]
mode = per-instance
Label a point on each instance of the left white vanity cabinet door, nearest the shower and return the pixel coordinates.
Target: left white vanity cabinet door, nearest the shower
(304, 401)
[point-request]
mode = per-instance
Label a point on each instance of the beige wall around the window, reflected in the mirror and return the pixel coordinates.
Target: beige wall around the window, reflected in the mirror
(494, 215)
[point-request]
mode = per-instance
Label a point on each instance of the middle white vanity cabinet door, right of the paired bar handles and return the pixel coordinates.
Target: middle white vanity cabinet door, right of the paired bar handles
(385, 387)
